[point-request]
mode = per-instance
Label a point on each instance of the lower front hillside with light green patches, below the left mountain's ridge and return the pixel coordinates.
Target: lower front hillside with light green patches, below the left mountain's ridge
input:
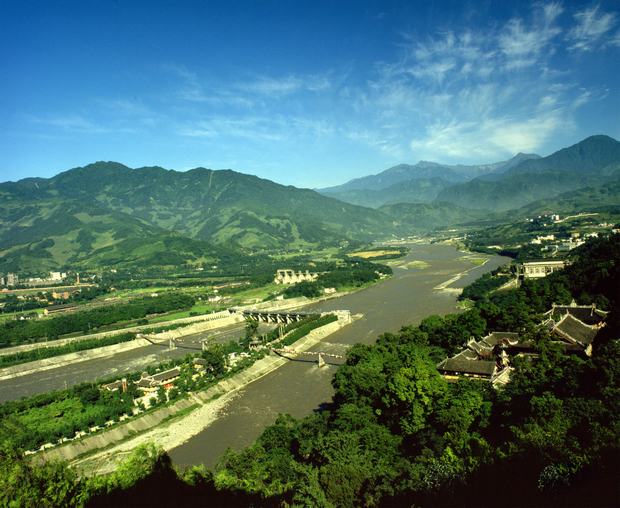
(52, 233)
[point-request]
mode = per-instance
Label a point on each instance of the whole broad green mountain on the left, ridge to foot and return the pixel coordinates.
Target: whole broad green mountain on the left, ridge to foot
(107, 213)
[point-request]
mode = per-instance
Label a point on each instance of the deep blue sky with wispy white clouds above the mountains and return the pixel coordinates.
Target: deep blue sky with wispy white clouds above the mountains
(304, 93)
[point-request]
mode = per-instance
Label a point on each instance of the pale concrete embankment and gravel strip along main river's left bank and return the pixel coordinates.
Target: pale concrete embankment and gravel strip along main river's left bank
(179, 430)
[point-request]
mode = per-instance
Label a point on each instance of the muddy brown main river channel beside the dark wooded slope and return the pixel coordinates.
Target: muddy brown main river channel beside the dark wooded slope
(300, 387)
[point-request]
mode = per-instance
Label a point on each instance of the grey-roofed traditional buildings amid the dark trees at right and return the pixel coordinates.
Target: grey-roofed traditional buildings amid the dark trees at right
(573, 327)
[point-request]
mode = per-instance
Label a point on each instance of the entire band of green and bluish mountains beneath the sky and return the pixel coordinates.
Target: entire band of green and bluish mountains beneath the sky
(106, 214)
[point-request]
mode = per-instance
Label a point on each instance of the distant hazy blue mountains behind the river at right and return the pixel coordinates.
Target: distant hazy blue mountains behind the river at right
(492, 187)
